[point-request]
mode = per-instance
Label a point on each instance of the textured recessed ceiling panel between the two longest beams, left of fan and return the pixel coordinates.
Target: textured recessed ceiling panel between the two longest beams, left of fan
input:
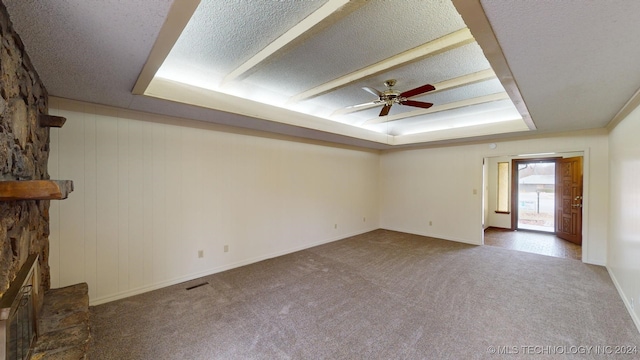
(376, 31)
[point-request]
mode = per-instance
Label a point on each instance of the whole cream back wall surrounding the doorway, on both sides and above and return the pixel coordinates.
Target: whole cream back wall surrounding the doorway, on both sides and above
(438, 184)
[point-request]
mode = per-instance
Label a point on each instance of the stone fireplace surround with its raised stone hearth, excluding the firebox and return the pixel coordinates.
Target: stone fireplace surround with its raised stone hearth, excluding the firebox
(63, 330)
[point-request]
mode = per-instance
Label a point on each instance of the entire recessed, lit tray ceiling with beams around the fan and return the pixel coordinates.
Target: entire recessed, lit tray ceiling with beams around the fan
(319, 73)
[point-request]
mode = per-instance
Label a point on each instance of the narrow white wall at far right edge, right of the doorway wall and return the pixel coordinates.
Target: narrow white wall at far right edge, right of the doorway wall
(624, 230)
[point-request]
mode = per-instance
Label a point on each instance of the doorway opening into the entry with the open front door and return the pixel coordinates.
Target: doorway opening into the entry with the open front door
(552, 200)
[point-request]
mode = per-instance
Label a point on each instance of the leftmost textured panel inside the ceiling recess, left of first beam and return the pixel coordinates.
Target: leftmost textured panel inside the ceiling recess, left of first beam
(221, 35)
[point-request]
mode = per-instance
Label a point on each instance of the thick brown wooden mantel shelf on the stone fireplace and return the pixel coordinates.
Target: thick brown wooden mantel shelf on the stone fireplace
(35, 189)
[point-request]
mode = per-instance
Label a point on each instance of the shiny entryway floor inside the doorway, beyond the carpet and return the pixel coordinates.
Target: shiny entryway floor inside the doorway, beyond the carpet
(533, 242)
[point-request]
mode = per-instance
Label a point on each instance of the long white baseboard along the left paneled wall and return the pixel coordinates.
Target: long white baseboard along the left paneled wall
(211, 271)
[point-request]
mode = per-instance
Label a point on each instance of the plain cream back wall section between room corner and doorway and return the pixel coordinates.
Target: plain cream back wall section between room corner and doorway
(419, 186)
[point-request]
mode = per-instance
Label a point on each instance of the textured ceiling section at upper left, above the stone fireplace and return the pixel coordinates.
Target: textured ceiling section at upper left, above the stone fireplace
(89, 50)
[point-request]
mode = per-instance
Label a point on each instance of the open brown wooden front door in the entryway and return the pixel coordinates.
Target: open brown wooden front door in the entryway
(569, 199)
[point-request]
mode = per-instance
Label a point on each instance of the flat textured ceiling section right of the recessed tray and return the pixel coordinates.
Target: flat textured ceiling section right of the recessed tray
(576, 62)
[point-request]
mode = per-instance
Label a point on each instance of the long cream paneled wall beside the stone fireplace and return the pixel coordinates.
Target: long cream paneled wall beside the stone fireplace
(151, 191)
